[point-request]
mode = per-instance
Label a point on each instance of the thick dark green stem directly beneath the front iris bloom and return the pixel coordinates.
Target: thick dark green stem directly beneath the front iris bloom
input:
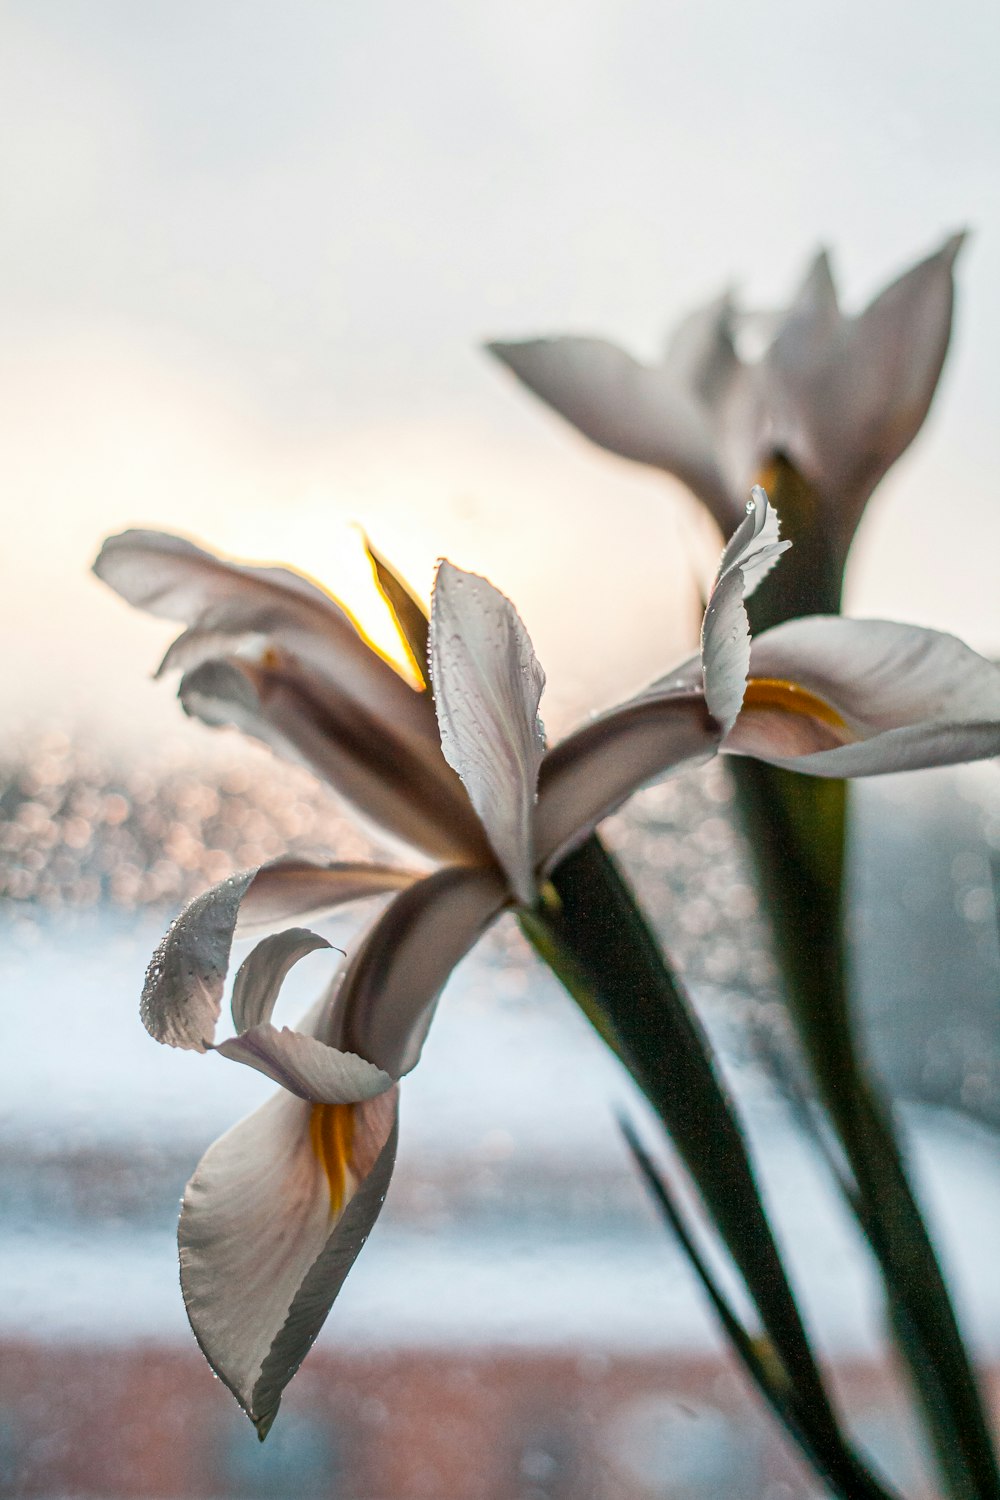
(599, 944)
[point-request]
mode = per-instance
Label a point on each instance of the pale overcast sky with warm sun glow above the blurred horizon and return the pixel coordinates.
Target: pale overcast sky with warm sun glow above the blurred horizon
(251, 250)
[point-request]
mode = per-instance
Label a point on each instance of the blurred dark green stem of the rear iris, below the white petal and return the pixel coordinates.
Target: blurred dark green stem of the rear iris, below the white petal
(797, 832)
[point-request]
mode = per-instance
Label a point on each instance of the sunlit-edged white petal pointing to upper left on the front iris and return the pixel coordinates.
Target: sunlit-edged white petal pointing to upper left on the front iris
(229, 607)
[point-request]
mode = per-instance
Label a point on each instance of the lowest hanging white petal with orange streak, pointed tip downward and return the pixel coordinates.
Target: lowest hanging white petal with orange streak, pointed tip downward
(272, 1223)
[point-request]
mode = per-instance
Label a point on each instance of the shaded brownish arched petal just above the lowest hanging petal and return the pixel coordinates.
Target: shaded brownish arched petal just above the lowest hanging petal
(392, 986)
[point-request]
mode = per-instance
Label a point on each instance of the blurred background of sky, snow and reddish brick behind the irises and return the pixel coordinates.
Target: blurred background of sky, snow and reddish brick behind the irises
(250, 257)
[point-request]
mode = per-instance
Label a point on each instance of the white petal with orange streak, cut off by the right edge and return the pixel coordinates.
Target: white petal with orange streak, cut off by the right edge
(834, 697)
